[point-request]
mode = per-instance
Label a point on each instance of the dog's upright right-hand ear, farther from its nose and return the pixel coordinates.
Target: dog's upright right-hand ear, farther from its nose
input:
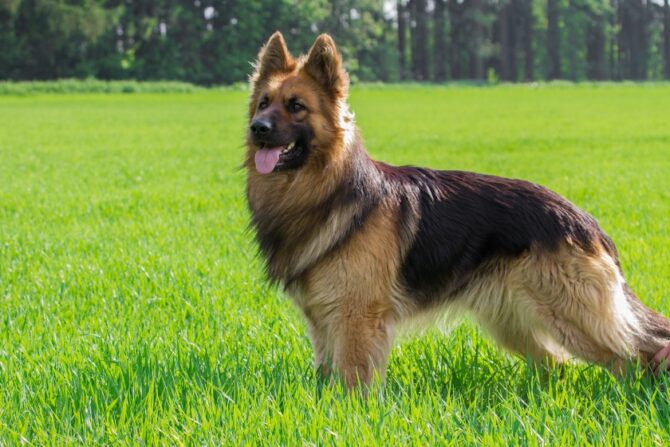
(324, 64)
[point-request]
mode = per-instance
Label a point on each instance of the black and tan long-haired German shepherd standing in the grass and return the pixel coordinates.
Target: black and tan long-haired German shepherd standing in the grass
(362, 246)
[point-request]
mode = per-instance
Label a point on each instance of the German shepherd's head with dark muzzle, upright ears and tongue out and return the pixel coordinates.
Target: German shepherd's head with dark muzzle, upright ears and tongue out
(297, 111)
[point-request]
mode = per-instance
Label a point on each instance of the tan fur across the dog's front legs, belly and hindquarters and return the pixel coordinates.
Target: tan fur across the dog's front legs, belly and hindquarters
(550, 307)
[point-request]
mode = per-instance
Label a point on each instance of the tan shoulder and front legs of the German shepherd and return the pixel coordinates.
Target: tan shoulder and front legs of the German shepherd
(346, 299)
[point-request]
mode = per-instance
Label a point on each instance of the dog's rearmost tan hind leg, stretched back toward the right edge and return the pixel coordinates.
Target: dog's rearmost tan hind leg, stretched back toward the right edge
(588, 306)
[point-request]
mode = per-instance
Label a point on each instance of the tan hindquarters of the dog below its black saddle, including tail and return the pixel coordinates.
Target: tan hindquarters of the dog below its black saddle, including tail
(569, 300)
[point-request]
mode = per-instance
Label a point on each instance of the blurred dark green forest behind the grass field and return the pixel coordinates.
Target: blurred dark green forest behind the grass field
(213, 41)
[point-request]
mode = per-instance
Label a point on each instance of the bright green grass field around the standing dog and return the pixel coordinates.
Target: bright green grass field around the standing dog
(133, 309)
